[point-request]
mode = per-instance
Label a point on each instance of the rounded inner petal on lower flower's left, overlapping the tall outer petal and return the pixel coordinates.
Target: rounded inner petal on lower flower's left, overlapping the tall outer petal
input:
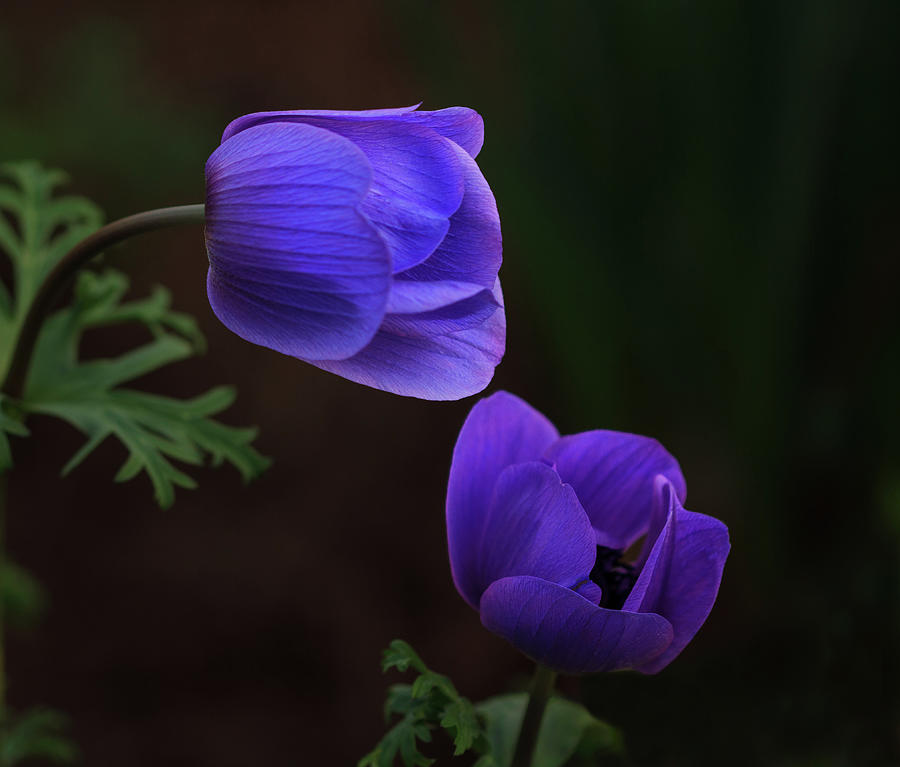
(535, 526)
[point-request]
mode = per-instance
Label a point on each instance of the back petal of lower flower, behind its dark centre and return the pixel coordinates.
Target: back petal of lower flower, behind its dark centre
(613, 474)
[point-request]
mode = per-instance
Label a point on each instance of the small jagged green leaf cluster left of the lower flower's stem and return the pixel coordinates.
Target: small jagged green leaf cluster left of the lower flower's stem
(430, 703)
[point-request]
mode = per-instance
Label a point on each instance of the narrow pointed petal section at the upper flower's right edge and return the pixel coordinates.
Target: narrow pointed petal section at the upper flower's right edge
(472, 251)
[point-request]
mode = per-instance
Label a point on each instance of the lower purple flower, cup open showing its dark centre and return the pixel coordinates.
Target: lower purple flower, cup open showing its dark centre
(540, 529)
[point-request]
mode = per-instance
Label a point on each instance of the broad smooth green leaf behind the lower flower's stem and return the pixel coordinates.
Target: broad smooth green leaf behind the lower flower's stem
(568, 730)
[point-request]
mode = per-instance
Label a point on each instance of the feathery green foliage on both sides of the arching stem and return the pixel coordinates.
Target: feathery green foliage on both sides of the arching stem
(88, 394)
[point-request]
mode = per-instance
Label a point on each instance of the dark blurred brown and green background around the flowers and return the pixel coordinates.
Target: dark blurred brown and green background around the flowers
(700, 209)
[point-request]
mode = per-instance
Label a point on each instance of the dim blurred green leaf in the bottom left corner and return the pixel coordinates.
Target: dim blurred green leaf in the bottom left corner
(36, 734)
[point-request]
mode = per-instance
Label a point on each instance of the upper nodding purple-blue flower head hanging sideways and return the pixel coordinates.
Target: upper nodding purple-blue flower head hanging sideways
(366, 243)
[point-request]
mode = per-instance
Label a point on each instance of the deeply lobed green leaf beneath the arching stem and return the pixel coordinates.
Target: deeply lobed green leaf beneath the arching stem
(155, 430)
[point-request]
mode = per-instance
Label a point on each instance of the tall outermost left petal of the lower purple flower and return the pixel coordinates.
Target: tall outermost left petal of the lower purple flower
(500, 431)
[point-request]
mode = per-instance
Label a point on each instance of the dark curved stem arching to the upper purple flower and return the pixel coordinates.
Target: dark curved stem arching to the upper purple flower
(66, 269)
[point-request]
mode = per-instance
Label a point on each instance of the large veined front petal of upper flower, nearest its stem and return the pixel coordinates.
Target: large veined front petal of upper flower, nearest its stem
(294, 265)
